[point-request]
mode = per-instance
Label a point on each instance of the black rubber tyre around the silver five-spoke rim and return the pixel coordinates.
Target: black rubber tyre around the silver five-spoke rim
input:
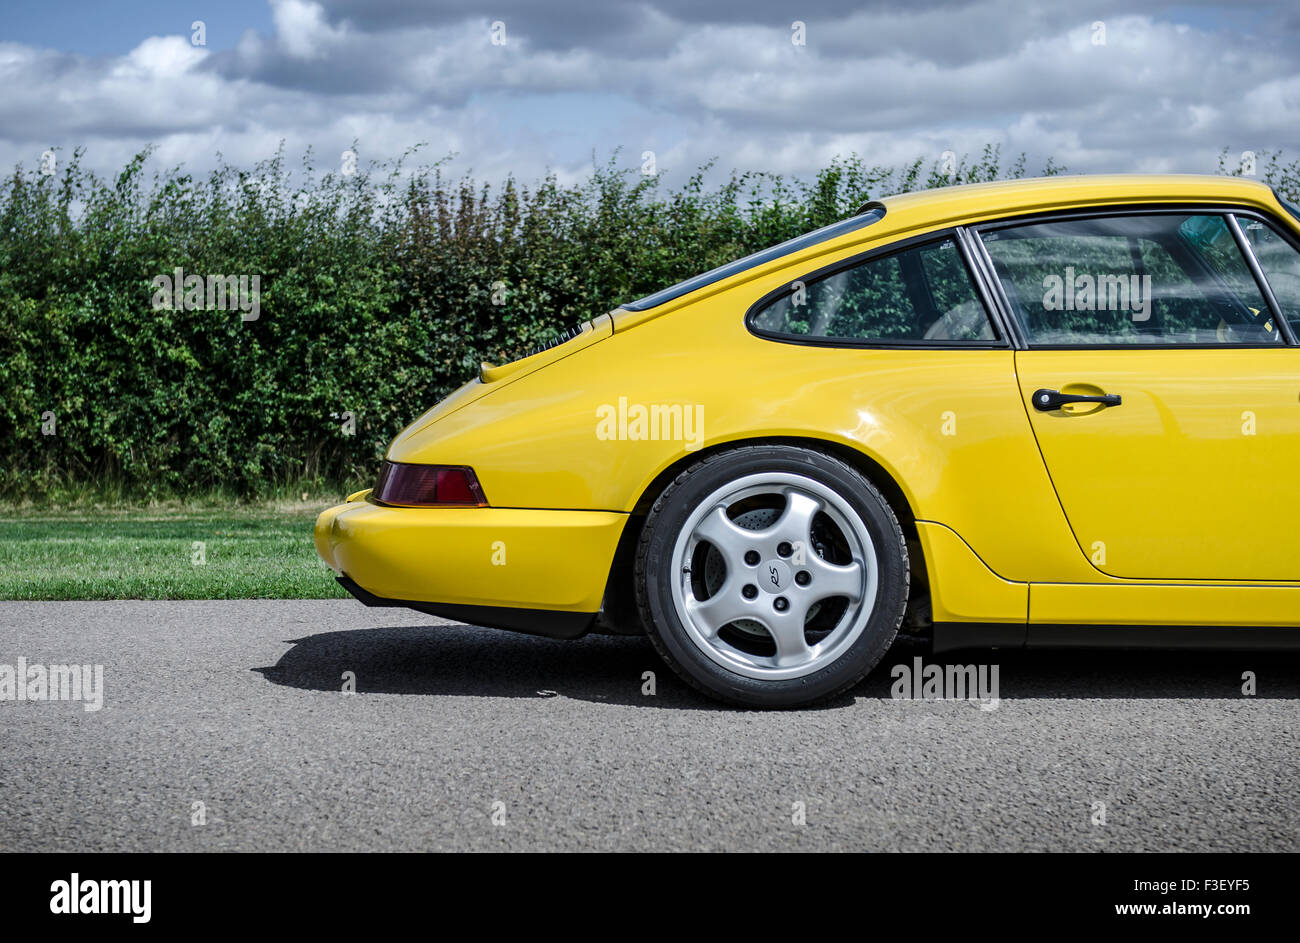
(656, 570)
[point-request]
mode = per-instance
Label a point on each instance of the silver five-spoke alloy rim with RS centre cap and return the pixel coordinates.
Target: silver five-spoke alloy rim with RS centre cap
(783, 581)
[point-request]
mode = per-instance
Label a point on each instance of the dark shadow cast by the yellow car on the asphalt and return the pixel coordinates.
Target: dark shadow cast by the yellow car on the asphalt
(483, 663)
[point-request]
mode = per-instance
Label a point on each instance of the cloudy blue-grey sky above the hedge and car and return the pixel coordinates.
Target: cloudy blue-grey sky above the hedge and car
(525, 88)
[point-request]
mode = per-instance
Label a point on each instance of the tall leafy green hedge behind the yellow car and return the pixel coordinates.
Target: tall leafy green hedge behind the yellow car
(376, 299)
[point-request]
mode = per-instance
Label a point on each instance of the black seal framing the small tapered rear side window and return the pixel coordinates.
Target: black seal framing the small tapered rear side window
(951, 233)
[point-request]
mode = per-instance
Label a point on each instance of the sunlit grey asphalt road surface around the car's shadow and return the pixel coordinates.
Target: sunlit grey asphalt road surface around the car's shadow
(240, 706)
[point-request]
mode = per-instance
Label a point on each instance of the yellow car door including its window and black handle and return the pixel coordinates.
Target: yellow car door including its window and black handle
(1162, 390)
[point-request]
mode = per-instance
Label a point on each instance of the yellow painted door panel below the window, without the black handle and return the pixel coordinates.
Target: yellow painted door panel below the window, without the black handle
(1190, 477)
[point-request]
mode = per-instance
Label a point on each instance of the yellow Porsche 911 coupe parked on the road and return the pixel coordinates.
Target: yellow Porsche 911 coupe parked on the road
(1059, 412)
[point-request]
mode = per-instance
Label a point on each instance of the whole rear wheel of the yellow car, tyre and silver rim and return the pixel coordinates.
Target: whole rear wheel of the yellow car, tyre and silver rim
(772, 576)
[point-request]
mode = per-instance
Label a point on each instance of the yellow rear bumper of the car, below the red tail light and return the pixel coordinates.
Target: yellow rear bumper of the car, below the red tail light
(527, 570)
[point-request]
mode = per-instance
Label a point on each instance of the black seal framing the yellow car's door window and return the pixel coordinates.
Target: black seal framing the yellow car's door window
(1210, 209)
